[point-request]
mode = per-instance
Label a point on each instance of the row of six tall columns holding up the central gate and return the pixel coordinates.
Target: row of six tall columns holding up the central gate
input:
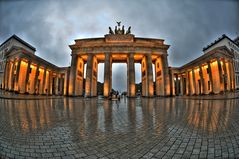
(76, 75)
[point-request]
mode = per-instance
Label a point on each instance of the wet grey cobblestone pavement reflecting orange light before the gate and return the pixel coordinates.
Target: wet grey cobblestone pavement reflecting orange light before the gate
(131, 128)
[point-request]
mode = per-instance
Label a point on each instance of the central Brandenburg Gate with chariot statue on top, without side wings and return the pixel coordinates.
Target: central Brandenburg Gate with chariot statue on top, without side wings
(119, 46)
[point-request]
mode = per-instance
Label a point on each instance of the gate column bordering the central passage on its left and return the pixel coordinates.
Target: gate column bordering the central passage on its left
(107, 75)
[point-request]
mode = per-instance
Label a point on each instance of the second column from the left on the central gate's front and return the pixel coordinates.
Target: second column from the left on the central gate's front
(89, 70)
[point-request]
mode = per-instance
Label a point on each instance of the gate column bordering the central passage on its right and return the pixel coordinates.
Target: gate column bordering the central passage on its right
(131, 76)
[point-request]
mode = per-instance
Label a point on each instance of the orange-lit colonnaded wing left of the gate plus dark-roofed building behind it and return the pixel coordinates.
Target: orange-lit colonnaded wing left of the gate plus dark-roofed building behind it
(22, 71)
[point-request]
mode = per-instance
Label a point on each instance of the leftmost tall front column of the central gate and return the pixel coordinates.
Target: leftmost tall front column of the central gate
(73, 73)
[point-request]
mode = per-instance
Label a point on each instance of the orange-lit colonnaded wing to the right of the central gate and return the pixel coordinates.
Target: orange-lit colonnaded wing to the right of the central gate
(212, 77)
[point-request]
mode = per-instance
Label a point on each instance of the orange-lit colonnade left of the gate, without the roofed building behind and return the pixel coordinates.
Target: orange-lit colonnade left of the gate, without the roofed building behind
(23, 75)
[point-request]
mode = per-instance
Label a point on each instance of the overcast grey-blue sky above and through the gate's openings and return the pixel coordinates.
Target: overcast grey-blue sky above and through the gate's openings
(51, 25)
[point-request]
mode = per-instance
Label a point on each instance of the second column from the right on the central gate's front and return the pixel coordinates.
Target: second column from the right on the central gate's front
(150, 86)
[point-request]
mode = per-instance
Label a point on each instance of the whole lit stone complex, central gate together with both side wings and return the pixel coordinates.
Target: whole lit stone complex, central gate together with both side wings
(215, 71)
